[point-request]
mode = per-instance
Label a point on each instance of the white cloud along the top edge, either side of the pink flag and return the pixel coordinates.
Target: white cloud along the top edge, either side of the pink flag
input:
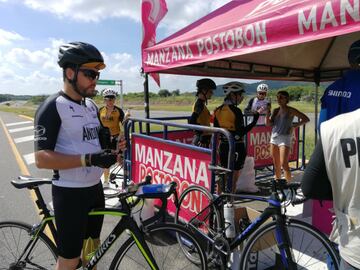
(180, 12)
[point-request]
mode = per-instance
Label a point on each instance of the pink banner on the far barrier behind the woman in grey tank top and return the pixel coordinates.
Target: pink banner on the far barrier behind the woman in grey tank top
(258, 145)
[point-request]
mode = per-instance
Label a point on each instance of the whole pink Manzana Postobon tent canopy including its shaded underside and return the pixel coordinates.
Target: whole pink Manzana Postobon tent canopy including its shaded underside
(263, 39)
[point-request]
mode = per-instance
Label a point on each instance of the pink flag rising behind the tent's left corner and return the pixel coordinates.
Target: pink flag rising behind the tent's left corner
(152, 12)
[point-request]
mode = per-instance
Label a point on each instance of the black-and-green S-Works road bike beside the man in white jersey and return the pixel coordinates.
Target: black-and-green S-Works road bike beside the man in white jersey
(154, 244)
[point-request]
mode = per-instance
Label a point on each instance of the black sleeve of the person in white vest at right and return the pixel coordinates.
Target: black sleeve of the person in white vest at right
(315, 182)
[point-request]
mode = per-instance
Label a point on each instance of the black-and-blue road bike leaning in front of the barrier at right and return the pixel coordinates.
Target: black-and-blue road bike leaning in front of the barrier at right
(271, 241)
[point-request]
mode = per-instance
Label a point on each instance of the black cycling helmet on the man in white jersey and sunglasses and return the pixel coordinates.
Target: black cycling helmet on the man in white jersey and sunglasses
(80, 54)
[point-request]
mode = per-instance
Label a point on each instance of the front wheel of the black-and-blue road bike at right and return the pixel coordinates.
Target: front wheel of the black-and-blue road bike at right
(309, 247)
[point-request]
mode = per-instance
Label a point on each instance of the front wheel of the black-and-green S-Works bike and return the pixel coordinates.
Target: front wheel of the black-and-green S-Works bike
(165, 248)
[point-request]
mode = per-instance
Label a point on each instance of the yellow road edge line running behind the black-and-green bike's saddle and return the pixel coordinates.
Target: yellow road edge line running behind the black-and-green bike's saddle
(23, 168)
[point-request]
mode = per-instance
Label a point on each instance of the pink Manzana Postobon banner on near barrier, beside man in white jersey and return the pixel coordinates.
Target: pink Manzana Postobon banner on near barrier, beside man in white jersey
(167, 162)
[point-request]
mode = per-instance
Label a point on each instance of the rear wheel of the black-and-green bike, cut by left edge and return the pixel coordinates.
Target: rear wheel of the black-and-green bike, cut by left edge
(14, 237)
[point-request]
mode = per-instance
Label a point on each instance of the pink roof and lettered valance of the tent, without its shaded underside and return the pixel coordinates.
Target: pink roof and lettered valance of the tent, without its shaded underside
(242, 27)
